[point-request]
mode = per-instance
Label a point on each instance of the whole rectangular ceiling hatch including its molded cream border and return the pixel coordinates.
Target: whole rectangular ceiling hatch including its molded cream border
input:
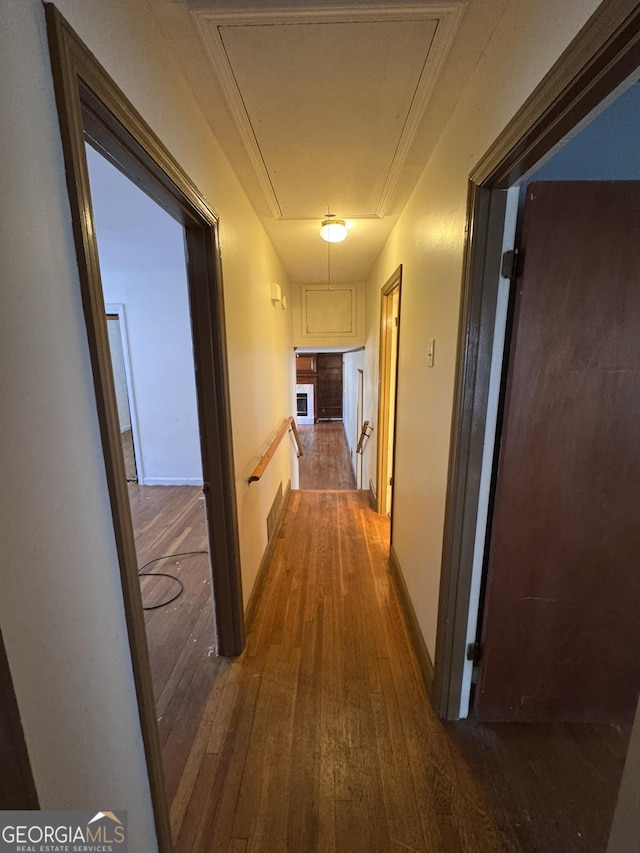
(328, 101)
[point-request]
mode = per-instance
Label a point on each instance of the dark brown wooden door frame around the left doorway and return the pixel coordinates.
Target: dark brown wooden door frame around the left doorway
(92, 108)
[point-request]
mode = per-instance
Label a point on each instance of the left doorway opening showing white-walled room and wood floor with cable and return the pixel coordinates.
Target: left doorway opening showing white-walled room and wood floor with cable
(145, 289)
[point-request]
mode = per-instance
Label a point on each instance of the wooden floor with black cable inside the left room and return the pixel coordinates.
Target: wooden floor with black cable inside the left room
(168, 520)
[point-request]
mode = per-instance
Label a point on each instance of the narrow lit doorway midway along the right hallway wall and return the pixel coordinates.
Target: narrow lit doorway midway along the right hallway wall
(389, 338)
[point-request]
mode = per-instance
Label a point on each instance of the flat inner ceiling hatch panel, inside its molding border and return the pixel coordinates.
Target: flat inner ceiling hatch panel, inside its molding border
(327, 104)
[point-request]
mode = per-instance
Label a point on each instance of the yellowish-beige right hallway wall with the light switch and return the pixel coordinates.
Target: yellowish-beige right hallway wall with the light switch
(429, 242)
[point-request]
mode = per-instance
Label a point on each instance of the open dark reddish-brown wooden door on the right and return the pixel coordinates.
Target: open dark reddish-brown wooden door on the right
(561, 622)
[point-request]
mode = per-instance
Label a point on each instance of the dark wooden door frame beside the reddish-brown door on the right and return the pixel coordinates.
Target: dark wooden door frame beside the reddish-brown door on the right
(600, 58)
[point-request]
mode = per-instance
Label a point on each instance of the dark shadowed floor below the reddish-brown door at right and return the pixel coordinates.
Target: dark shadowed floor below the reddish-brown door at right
(552, 787)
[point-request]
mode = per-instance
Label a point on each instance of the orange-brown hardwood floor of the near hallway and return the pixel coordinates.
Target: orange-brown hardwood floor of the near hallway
(320, 736)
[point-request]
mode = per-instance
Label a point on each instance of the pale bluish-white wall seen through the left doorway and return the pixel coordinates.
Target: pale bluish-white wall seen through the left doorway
(142, 264)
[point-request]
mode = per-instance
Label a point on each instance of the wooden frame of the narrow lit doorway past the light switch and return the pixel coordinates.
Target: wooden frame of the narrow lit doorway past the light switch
(384, 390)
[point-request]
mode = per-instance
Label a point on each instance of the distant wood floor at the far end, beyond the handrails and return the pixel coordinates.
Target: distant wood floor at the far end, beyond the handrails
(325, 462)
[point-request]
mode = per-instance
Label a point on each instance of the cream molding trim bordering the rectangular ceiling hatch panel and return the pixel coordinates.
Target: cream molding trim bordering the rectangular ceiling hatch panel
(209, 23)
